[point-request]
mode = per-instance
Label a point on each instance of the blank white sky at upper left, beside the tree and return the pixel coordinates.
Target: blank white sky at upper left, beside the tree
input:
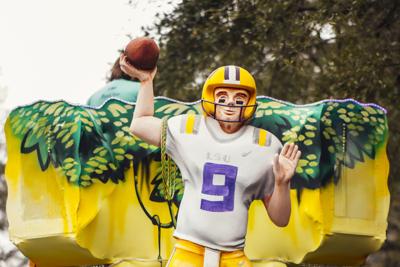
(51, 49)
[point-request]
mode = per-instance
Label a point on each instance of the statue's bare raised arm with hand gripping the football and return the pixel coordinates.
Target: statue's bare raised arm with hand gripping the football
(144, 125)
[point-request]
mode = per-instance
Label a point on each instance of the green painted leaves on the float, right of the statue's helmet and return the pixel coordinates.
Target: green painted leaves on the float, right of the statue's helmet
(331, 134)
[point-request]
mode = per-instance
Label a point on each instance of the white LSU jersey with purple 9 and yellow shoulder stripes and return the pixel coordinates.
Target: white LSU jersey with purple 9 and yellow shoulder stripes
(222, 173)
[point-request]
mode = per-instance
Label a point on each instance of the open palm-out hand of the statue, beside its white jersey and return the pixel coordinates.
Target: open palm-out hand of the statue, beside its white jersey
(285, 163)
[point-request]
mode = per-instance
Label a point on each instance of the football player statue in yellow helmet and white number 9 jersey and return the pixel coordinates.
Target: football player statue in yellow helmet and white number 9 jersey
(225, 165)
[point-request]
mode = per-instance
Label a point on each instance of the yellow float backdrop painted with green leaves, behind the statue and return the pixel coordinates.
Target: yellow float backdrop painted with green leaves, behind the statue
(83, 190)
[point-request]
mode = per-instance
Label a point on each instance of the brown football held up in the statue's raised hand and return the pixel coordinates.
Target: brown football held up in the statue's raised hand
(142, 53)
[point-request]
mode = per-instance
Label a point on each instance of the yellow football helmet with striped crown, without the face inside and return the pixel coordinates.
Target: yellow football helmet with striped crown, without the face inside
(229, 77)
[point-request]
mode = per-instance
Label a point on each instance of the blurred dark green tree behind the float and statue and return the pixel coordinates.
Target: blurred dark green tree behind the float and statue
(299, 51)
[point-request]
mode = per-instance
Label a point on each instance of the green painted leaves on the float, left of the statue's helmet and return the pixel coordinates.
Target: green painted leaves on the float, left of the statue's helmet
(87, 143)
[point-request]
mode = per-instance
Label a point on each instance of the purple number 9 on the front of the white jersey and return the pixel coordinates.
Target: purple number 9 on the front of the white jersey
(227, 190)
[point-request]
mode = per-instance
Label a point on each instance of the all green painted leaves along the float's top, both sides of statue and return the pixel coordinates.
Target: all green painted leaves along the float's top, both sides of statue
(88, 143)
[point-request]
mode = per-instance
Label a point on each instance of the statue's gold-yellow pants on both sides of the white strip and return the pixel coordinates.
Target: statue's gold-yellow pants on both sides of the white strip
(188, 254)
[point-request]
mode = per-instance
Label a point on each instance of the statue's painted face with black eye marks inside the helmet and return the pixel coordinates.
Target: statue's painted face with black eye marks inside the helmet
(231, 101)
